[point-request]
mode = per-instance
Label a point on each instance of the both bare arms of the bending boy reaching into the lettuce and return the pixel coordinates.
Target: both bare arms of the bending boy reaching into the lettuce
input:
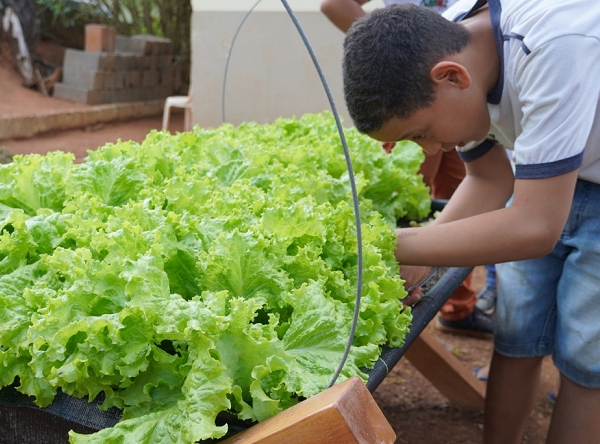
(476, 228)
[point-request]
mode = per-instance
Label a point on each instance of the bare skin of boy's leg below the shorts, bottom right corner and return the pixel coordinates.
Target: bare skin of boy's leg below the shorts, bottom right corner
(576, 415)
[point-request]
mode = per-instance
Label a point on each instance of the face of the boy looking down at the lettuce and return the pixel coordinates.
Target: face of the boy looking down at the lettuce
(455, 119)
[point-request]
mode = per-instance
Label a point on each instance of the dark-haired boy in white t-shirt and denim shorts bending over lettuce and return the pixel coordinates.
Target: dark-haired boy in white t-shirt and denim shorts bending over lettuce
(518, 74)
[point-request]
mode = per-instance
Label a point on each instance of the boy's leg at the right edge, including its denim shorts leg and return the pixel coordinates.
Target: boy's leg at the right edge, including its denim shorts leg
(576, 415)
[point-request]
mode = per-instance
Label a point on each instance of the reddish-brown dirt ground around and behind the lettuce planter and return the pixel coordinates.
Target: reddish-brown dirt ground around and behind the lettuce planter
(416, 410)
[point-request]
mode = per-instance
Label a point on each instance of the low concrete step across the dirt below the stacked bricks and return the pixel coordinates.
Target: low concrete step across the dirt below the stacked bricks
(20, 127)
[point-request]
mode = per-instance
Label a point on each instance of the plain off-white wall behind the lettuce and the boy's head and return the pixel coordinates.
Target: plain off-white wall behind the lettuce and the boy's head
(270, 72)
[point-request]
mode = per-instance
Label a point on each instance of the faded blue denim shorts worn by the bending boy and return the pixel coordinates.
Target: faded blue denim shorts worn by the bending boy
(551, 305)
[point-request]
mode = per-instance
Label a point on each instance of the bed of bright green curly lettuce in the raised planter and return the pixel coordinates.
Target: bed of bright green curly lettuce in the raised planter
(200, 272)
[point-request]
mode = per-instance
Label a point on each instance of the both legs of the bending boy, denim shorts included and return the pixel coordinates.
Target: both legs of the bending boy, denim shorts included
(551, 305)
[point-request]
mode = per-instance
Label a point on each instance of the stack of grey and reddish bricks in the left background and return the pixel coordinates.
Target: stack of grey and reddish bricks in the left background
(141, 68)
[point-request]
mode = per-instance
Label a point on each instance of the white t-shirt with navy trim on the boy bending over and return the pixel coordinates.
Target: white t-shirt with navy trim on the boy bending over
(546, 105)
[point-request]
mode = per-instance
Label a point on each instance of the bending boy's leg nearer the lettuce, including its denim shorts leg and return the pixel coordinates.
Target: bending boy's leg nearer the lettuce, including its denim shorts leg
(523, 335)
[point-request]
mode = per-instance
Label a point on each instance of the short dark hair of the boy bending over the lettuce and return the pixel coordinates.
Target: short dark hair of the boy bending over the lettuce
(388, 55)
